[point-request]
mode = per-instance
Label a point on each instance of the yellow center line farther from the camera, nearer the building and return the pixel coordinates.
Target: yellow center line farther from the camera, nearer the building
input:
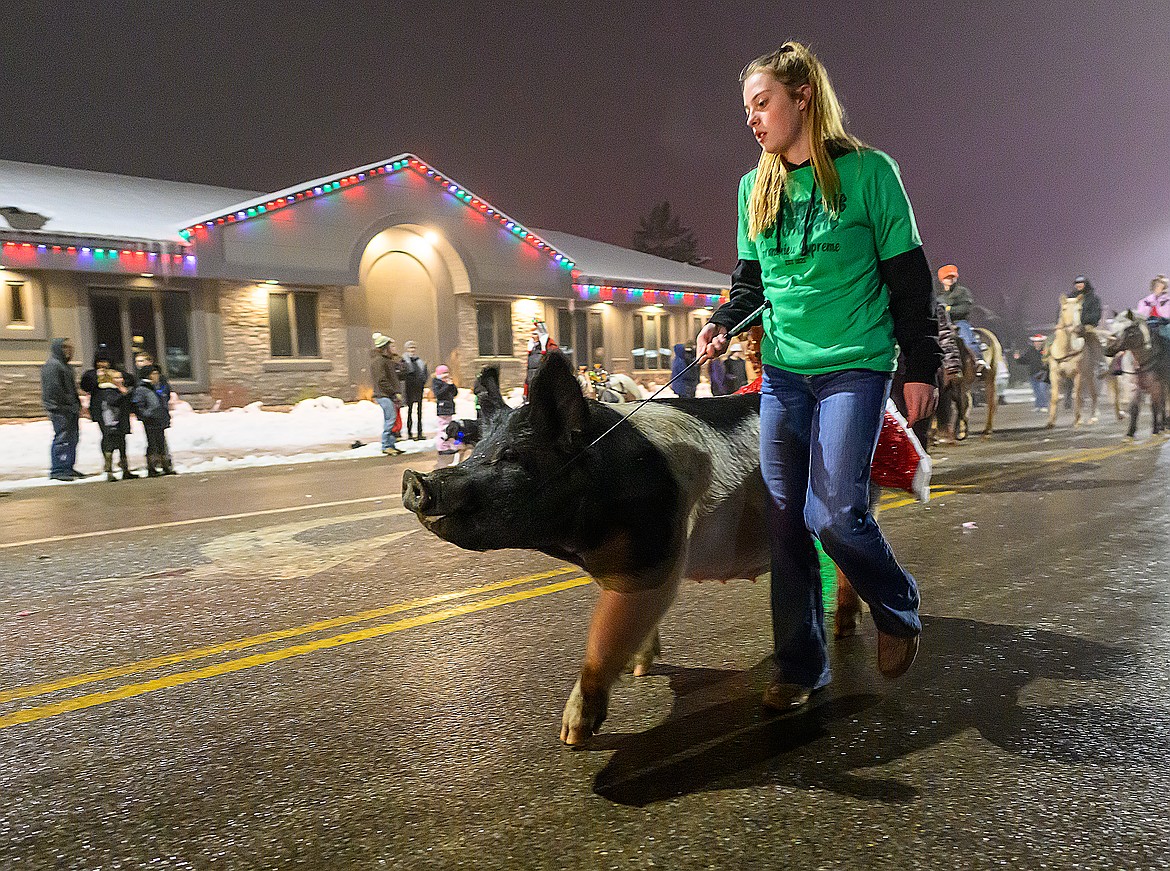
(120, 671)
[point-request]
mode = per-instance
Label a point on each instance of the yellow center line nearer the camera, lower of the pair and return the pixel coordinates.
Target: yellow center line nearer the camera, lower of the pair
(130, 691)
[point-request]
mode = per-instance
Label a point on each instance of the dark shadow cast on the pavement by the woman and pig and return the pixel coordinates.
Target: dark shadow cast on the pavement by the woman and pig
(968, 676)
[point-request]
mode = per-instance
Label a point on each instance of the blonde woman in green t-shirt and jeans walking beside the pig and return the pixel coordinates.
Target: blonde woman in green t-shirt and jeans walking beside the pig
(829, 244)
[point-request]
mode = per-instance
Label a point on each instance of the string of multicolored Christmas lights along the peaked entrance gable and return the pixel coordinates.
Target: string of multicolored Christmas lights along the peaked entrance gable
(405, 163)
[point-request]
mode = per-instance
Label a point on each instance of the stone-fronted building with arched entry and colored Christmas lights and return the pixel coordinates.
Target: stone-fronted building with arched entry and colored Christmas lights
(244, 296)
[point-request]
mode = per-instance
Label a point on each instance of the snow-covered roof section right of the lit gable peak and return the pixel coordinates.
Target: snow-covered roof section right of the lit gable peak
(602, 263)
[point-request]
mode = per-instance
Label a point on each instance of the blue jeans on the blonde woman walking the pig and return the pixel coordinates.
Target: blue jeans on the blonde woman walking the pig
(817, 440)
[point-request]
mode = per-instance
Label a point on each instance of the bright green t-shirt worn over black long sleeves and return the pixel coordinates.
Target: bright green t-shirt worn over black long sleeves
(830, 310)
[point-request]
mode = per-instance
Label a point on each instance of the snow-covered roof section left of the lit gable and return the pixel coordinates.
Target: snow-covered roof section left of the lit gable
(81, 203)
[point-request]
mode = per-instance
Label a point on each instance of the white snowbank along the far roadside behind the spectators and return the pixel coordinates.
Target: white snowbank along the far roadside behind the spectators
(315, 430)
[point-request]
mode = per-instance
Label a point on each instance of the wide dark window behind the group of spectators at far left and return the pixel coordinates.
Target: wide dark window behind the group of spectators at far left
(157, 323)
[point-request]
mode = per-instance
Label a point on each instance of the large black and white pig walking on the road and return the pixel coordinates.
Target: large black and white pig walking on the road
(677, 493)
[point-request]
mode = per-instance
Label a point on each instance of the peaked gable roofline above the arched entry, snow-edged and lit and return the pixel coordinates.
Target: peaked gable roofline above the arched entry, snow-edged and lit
(359, 175)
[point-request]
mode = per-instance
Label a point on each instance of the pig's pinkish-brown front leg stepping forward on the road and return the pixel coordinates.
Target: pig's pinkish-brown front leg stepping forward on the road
(622, 622)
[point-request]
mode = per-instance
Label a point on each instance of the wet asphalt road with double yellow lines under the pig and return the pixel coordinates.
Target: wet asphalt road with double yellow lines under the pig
(318, 683)
